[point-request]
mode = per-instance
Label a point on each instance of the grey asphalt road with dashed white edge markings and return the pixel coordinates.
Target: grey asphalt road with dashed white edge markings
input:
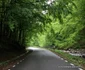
(41, 59)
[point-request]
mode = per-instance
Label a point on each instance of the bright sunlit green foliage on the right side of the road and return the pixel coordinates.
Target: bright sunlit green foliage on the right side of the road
(70, 34)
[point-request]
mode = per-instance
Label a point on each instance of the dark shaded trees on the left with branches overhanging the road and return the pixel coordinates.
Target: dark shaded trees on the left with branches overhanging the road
(22, 19)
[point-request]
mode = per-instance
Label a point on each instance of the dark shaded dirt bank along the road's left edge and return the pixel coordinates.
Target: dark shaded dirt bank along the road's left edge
(12, 61)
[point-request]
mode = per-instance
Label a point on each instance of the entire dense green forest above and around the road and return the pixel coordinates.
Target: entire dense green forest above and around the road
(44, 23)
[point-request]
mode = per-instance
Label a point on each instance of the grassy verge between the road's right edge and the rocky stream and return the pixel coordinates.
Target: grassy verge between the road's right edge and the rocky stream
(76, 60)
